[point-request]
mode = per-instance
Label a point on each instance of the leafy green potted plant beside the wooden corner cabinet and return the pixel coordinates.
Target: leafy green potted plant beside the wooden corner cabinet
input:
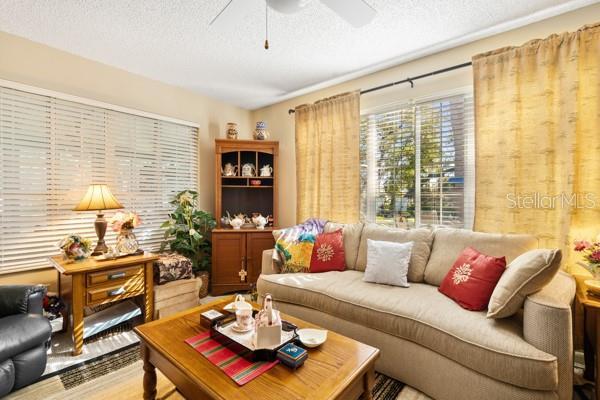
(187, 233)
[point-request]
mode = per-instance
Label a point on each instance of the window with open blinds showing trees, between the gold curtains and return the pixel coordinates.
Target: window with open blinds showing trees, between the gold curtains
(417, 165)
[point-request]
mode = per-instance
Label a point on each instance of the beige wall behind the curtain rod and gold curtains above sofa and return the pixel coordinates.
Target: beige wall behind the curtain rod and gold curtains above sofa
(281, 125)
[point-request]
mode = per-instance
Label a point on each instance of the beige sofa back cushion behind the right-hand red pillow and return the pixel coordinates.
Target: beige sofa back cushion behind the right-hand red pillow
(448, 243)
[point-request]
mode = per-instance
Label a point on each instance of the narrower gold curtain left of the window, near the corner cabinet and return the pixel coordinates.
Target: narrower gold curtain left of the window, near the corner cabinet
(327, 159)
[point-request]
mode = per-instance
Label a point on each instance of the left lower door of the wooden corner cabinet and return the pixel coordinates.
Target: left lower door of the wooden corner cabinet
(228, 253)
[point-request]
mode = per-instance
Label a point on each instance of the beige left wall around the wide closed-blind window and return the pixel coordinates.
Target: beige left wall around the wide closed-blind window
(38, 65)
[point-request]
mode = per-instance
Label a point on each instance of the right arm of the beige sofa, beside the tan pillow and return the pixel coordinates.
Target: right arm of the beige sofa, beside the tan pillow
(547, 325)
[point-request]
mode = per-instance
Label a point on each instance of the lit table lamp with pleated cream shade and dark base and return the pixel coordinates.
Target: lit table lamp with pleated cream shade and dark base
(98, 198)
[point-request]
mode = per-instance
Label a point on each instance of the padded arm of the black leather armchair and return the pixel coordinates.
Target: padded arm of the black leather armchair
(21, 299)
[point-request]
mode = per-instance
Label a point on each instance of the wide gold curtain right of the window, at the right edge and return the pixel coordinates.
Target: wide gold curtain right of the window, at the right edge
(537, 113)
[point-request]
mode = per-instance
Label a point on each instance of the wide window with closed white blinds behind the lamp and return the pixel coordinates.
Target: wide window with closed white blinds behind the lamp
(51, 149)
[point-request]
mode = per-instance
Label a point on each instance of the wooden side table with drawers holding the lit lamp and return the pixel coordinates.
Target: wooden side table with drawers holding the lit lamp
(90, 283)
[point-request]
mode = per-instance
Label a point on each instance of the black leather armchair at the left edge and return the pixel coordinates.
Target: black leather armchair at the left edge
(24, 332)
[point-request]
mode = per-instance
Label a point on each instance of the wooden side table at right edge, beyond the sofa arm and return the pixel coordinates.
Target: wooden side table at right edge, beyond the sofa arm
(591, 334)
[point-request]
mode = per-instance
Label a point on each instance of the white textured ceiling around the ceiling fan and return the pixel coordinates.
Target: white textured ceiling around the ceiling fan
(171, 40)
